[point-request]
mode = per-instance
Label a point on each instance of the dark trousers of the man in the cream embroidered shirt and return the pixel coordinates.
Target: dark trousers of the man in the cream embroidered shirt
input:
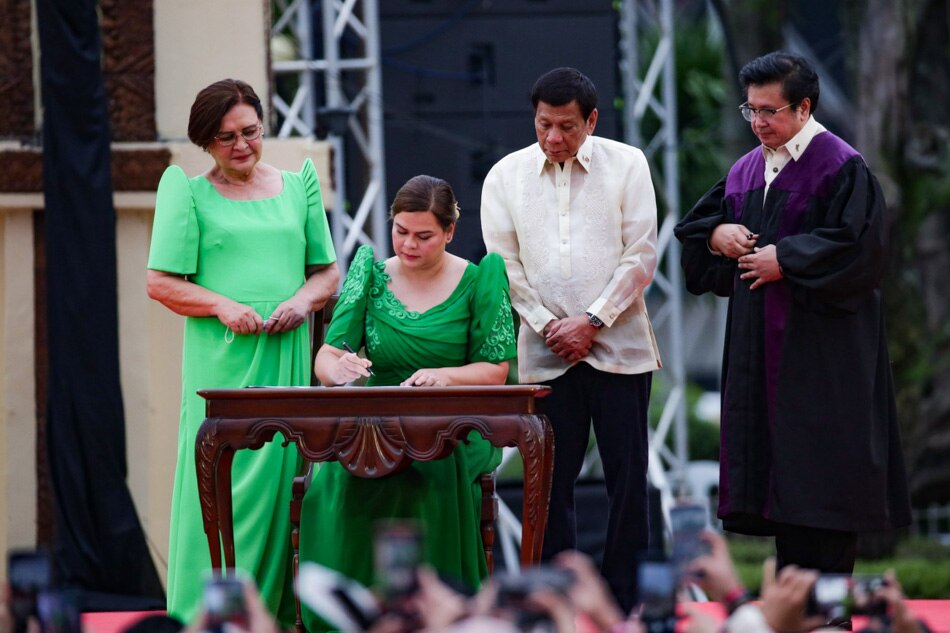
(617, 405)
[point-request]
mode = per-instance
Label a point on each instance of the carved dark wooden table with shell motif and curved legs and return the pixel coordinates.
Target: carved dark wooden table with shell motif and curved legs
(372, 432)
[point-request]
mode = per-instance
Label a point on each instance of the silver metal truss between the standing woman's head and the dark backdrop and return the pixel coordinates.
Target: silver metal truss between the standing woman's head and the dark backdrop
(349, 104)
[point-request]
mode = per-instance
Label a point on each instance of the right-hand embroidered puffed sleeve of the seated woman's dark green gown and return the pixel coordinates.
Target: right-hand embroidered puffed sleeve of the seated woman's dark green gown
(491, 330)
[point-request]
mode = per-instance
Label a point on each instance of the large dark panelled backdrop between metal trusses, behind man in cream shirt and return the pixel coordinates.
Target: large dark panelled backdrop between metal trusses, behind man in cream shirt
(457, 77)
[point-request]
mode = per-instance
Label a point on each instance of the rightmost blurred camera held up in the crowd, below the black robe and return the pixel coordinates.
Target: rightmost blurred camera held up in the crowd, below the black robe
(837, 596)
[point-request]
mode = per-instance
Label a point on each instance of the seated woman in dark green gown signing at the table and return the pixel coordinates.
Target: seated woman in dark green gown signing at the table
(425, 318)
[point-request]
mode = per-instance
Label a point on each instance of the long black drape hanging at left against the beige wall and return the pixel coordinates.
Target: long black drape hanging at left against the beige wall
(98, 544)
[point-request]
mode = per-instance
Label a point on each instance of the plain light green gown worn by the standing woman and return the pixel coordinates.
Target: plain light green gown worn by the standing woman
(255, 252)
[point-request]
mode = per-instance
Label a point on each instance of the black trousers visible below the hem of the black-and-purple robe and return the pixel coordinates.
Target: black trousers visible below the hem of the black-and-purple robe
(827, 551)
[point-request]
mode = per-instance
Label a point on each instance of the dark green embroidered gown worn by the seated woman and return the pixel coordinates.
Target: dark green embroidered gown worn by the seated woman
(340, 510)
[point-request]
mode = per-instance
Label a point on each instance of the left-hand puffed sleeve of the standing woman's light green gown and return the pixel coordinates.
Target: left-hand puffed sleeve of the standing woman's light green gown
(174, 247)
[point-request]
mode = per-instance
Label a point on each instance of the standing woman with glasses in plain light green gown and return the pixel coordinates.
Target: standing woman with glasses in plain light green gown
(243, 251)
